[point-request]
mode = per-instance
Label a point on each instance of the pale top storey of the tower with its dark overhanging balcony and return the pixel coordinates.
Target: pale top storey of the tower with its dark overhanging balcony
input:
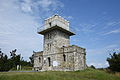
(55, 22)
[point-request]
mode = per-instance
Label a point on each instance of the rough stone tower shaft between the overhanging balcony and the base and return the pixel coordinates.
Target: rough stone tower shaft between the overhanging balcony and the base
(54, 40)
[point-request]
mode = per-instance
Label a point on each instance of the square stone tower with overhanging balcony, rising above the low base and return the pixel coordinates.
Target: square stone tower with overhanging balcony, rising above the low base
(56, 34)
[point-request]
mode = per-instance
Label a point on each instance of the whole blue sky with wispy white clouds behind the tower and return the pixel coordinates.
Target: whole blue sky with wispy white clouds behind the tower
(96, 24)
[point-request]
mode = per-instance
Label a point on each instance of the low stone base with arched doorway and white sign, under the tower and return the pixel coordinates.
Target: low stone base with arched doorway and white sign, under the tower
(73, 60)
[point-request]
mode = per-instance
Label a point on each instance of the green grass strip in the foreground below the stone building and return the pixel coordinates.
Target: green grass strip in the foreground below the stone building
(88, 74)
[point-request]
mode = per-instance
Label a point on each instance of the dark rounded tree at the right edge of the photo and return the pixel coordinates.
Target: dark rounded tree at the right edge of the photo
(114, 62)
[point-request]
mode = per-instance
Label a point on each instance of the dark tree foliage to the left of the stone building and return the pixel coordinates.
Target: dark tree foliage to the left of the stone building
(15, 59)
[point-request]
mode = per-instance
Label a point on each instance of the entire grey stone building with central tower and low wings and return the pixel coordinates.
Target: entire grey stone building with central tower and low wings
(57, 52)
